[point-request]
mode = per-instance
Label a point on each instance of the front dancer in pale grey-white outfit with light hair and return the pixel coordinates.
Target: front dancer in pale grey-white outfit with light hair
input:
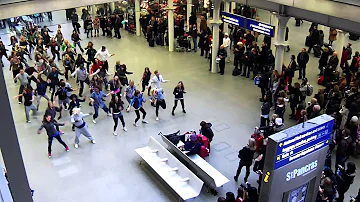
(80, 126)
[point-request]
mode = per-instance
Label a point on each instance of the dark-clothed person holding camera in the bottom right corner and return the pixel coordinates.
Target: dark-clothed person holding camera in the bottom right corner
(344, 179)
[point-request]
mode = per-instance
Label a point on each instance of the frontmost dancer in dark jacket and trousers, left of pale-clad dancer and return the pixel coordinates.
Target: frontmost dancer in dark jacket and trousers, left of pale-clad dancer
(52, 132)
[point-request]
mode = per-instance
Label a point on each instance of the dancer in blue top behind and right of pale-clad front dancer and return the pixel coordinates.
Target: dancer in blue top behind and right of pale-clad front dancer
(96, 99)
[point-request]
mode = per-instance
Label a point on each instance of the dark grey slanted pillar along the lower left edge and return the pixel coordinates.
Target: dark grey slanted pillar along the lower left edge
(10, 149)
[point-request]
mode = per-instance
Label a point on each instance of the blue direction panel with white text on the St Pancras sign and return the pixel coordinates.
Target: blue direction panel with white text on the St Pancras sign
(302, 144)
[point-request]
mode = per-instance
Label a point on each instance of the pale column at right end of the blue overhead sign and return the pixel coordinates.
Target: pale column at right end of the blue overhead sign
(280, 43)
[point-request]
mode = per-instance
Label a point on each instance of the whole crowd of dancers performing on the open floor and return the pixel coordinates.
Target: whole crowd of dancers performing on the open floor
(95, 73)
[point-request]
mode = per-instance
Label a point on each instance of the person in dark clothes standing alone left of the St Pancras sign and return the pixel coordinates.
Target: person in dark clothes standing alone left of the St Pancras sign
(246, 155)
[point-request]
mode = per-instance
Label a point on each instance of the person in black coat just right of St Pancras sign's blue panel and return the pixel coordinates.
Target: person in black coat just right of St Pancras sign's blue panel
(344, 148)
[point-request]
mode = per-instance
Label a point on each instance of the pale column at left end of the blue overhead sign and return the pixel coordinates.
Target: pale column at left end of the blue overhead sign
(216, 22)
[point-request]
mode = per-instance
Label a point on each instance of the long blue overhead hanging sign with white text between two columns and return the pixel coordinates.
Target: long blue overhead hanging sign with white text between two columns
(248, 23)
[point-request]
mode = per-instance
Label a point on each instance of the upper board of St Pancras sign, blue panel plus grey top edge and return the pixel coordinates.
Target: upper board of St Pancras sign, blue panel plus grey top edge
(299, 142)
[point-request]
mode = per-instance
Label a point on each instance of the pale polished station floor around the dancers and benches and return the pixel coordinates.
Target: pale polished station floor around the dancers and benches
(109, 171)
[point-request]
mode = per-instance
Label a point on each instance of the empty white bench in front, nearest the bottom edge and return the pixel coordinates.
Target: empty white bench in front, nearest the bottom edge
(185, 183)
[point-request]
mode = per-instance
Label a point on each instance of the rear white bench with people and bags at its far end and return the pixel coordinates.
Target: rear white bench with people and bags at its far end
(211, 177)
